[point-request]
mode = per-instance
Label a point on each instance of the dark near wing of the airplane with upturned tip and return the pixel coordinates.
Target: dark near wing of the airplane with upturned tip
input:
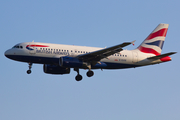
(103, 53)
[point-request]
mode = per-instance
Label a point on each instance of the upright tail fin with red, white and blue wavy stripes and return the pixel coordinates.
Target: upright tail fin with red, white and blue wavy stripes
(154, 42)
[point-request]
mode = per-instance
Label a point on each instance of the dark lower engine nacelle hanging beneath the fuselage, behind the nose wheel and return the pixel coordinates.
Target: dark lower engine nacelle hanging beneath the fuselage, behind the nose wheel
(53, 69)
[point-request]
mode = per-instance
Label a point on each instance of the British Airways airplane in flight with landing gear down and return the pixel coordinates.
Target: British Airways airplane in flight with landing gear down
(59, 59)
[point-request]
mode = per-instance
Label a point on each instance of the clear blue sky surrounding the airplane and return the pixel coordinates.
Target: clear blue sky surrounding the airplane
(150, 92)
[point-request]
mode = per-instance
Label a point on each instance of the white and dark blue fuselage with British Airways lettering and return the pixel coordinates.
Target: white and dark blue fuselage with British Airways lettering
(35, 52)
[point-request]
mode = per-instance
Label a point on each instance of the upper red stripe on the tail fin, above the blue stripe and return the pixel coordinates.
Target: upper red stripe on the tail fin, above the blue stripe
(160, 33)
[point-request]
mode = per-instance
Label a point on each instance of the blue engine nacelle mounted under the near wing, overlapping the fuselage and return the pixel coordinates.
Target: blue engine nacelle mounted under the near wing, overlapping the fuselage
(71, 62)
